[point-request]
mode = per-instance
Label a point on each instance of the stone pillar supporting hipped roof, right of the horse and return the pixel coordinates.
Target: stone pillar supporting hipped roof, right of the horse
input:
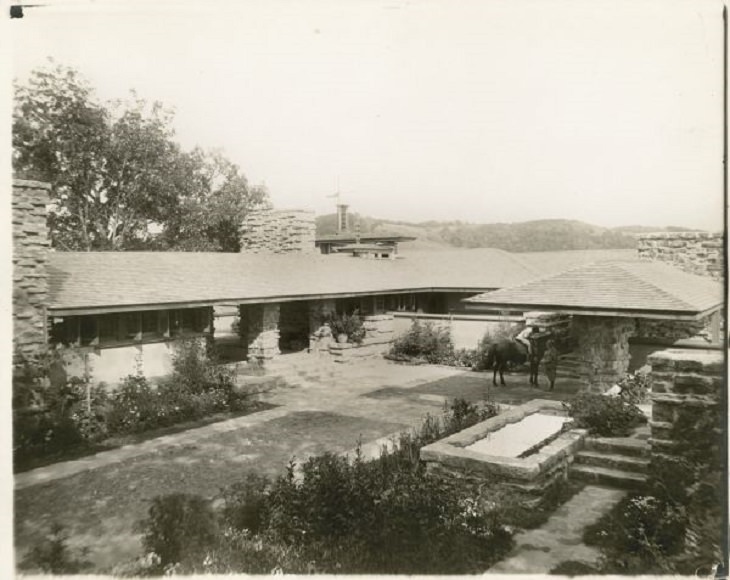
(603, 349)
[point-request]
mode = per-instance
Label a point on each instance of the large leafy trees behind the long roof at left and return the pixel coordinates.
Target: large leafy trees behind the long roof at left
(120, 180)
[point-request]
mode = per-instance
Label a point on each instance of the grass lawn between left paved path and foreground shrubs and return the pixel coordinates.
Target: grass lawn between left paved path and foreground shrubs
(100, 507)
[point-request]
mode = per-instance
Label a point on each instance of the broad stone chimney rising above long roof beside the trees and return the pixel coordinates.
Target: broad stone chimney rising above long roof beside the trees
(279, 231)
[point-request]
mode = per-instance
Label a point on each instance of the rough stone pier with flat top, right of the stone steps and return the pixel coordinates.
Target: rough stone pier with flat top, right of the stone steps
(686, 401)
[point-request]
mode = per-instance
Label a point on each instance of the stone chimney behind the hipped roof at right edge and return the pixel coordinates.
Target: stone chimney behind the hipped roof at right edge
(694, 252)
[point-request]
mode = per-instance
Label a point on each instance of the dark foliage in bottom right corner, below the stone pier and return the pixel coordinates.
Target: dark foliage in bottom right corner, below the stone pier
(675, 526)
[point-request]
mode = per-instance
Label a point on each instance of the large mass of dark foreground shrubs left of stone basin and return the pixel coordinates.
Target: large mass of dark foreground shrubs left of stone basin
(335, 514)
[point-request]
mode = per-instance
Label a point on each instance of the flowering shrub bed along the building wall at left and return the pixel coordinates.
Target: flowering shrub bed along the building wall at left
(52, 416)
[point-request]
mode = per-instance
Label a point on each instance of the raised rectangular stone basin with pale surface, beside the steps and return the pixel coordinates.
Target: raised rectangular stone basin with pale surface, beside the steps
(528, 444)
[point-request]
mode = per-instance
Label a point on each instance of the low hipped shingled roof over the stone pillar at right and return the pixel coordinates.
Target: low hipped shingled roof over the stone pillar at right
(612, 288)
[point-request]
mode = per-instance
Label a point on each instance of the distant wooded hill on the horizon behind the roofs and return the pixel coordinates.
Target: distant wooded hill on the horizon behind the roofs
(531, 236)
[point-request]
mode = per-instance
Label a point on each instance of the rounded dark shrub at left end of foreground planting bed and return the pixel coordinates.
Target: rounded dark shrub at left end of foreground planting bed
(179, 526)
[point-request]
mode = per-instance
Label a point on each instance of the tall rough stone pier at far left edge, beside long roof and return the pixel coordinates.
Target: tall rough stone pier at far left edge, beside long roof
(30, 262)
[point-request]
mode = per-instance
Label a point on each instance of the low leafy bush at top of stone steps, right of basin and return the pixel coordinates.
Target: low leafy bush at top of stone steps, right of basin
(605, 416)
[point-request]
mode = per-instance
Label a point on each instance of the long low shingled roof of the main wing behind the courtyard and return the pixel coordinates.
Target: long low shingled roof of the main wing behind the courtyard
(104, 281)
